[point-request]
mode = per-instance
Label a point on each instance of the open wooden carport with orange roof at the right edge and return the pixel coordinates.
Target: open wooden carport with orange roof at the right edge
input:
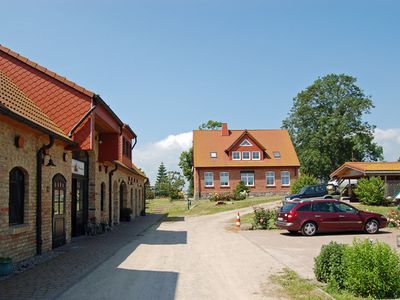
(388, 171)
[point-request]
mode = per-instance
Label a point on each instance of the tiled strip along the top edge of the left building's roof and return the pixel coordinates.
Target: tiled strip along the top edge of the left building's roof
(46, 71)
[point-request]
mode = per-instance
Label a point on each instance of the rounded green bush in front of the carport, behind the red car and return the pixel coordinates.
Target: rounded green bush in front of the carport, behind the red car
(371, 191)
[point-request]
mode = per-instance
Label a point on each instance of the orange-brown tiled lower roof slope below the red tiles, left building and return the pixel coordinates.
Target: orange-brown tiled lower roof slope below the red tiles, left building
(15, 101)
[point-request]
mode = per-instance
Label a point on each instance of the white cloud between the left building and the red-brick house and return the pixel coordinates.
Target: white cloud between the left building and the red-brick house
(149, 156)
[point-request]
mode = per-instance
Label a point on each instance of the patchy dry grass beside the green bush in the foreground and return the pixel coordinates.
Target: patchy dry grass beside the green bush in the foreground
(294, 287)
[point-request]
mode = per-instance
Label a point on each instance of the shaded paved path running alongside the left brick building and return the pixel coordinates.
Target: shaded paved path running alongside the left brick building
(77, 259)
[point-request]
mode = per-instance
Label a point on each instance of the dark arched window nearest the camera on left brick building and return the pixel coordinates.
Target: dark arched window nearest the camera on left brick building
(16, 197)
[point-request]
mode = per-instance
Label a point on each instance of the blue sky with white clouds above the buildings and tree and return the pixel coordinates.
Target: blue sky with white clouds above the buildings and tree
(165, 66)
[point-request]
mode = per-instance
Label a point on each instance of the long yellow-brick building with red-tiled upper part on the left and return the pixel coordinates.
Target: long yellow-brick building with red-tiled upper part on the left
(65, 159)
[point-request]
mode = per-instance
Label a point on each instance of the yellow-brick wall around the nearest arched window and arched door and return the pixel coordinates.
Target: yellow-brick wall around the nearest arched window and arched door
(19, 241)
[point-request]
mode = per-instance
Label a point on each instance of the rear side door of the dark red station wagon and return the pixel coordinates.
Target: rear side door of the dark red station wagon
(325, 215)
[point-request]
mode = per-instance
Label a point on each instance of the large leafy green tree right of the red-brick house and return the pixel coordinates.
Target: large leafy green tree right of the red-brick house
(327, 127)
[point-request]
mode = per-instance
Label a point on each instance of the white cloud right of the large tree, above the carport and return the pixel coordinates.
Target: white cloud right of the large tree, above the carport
(389, 139)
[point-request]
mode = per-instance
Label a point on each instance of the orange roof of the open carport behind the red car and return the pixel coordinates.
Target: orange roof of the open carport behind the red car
(367, 168)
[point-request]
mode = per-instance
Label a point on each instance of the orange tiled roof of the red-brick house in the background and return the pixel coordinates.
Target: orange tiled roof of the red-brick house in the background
(206, 141)
